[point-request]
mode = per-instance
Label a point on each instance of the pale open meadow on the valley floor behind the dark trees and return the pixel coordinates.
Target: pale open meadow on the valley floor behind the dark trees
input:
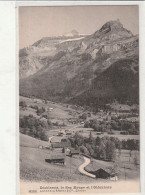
(62, 114)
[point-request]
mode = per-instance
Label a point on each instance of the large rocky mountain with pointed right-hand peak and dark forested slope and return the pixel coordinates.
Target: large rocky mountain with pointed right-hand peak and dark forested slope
(92, 70)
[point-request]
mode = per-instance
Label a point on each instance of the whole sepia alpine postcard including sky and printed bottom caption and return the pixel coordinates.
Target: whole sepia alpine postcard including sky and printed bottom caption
(79, 126)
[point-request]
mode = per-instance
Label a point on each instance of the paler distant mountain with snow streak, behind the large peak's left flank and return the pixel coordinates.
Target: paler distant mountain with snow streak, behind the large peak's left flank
(32, 58)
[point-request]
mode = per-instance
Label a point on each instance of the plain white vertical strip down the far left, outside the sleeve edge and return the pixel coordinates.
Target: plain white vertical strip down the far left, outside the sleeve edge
(7, 99)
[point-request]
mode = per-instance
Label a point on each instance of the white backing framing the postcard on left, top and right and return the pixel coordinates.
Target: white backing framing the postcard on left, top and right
(9, 87)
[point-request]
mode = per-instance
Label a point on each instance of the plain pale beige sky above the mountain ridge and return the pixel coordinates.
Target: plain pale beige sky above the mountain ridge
(38, 22)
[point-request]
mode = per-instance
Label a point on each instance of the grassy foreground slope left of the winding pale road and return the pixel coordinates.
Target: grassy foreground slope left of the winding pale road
(34, 168)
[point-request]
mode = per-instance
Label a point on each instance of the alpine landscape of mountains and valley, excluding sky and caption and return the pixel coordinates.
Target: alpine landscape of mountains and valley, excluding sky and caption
(79, 107)
